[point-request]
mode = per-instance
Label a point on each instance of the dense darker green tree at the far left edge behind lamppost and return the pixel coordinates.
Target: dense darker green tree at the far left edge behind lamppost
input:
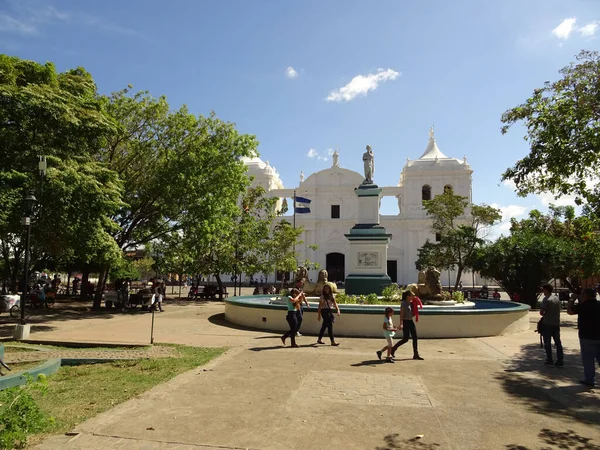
(60, 115)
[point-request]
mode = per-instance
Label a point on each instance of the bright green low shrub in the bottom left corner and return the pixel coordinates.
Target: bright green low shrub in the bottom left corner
(20, 415)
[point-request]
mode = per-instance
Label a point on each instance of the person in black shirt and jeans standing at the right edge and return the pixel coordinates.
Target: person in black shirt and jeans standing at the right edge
(588, 322)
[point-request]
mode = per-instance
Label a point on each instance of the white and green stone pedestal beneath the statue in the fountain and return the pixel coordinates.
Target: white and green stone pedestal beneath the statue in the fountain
(367, 258)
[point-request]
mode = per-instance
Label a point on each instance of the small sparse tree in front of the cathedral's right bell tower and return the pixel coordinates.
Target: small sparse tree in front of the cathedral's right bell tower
(461, 227)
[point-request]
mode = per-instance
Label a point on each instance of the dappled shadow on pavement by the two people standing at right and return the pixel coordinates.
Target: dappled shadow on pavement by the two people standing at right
(550, 390)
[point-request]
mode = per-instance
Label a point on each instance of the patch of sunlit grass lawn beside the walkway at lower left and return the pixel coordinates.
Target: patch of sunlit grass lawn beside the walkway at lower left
(77, 393)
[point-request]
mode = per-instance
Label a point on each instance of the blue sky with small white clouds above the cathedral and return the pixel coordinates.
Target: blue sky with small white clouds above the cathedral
(286, 71)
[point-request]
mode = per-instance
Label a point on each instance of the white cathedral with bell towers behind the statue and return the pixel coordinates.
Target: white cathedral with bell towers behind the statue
(334, 209)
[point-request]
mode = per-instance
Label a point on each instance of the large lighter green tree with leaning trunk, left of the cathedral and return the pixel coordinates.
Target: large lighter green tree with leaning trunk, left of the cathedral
(178, 169)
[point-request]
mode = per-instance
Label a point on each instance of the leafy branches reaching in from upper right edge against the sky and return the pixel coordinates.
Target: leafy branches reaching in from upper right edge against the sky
(563, 132)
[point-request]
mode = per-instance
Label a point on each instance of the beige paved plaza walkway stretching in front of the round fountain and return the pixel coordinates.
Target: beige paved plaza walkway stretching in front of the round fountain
(488, 393)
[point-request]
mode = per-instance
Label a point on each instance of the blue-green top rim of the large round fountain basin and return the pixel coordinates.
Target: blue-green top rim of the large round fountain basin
(499, 307)
